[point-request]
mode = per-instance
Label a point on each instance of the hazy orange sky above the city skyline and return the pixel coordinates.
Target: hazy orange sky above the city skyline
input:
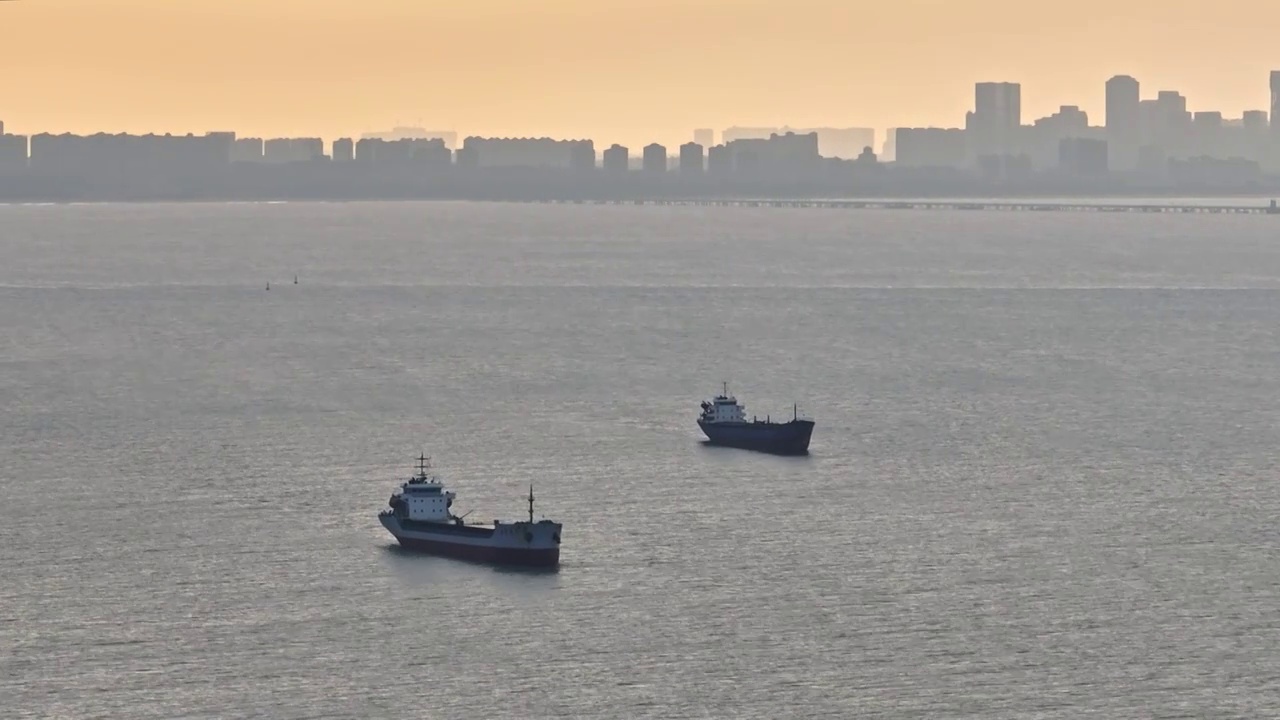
(628, 71)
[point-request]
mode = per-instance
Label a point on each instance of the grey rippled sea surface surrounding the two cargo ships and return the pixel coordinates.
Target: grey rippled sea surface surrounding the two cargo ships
(1043, 482)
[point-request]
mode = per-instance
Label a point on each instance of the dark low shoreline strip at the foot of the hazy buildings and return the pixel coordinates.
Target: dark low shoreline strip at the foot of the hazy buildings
(354, 183)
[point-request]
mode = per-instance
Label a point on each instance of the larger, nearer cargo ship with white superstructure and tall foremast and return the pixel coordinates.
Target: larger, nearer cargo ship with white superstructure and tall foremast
(420, 517)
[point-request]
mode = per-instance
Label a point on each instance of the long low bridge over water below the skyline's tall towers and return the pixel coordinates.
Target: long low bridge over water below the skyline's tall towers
(990, 206)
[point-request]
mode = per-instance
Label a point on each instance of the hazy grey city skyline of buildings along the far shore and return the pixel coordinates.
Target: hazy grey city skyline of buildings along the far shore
(1146, 144)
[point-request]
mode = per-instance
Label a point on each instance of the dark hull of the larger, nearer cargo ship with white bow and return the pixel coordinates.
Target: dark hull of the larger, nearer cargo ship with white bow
(481, 545)
